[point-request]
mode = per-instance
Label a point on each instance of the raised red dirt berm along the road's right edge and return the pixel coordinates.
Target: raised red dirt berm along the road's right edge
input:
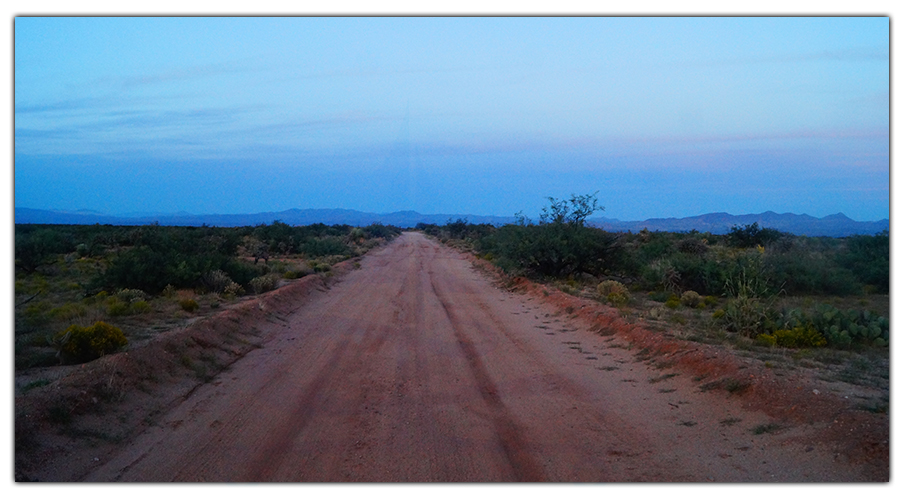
(860, 436)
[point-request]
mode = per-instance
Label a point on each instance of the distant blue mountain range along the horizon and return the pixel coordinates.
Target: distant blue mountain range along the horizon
(836, 225)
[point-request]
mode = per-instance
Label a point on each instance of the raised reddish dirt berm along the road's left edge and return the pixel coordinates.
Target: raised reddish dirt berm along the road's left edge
(90, 409)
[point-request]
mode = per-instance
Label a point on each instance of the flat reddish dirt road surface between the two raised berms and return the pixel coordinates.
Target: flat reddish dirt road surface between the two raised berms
(416, 368)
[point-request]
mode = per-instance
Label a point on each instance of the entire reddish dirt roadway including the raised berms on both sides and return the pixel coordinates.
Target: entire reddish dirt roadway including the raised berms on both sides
(417, 368)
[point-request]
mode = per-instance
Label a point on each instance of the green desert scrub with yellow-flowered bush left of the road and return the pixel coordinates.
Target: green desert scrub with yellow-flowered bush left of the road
(145, 279)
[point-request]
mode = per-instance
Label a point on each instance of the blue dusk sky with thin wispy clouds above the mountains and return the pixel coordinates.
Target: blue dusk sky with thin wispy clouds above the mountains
(663, 117)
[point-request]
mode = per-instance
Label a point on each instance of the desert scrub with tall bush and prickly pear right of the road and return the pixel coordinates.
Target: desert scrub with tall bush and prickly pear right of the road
(791, 301)
